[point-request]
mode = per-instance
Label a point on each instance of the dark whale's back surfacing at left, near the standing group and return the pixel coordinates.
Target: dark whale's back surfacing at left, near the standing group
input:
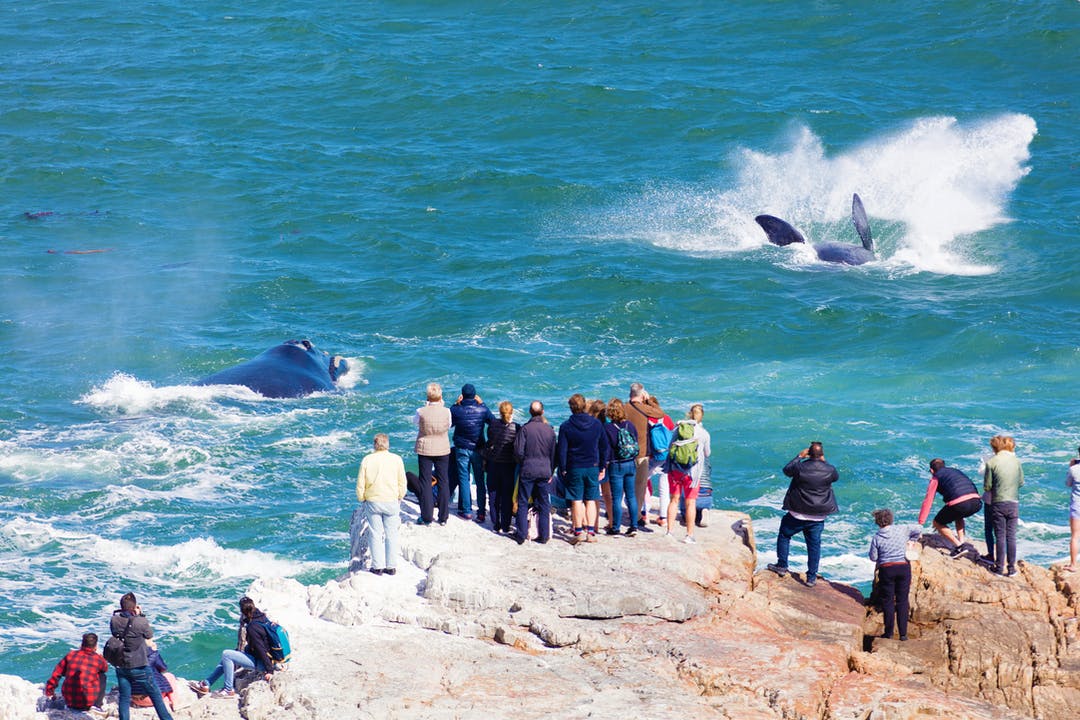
(294, 369)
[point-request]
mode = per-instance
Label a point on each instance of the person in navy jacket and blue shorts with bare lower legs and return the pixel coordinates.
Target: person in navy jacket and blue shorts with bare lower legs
(583, 455)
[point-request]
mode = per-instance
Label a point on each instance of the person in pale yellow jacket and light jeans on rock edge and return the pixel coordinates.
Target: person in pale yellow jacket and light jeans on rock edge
(381, 487)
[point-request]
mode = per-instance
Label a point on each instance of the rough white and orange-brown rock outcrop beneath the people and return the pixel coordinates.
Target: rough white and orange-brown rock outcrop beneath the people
(477, 627)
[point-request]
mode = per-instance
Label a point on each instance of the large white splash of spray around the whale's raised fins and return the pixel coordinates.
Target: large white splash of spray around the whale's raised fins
(927, 189)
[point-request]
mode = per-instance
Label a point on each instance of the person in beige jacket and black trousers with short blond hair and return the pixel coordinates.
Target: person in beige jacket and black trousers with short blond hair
(434, 455)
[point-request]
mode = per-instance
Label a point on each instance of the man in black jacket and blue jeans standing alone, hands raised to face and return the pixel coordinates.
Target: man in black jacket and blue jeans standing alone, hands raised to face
(808, 502)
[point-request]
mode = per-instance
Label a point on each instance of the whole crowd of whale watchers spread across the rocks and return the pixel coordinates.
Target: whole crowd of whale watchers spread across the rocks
(611, 453)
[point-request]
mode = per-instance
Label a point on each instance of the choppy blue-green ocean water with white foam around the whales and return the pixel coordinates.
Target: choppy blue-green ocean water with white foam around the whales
(539, 199)
